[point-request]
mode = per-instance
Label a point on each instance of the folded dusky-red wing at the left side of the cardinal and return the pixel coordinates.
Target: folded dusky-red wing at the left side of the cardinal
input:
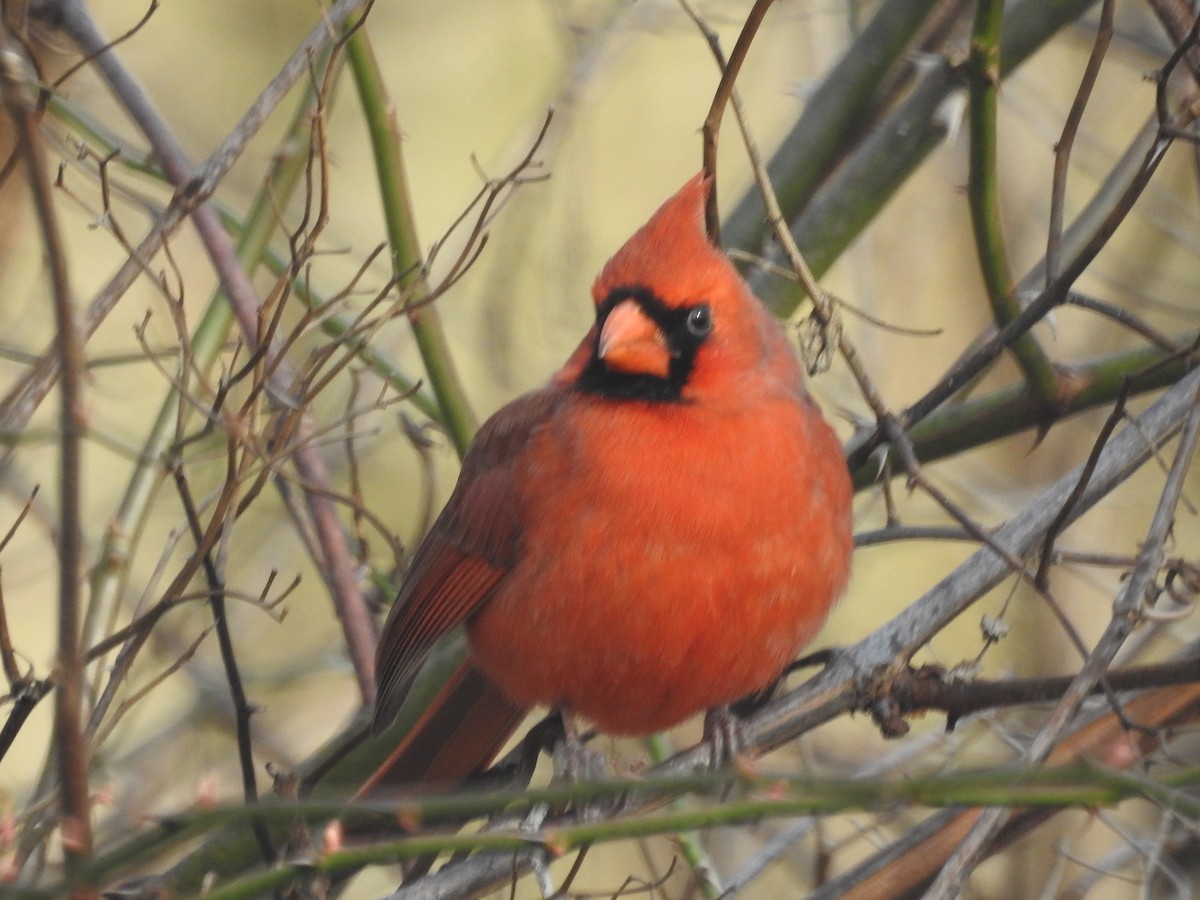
(469, 550)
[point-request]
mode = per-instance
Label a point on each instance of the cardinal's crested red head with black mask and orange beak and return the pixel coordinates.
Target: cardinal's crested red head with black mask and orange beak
(675, 321)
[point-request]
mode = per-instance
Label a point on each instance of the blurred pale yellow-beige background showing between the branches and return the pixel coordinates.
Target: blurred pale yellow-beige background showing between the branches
(629, 85)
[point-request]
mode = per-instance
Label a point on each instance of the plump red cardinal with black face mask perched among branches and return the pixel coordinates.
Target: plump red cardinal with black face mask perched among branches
(656, 533)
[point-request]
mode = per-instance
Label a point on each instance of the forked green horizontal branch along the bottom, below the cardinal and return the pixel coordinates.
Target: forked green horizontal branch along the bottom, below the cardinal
(755, 799)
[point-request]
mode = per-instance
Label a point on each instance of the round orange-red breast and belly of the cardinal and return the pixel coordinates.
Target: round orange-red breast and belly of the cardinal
(659, 578)
